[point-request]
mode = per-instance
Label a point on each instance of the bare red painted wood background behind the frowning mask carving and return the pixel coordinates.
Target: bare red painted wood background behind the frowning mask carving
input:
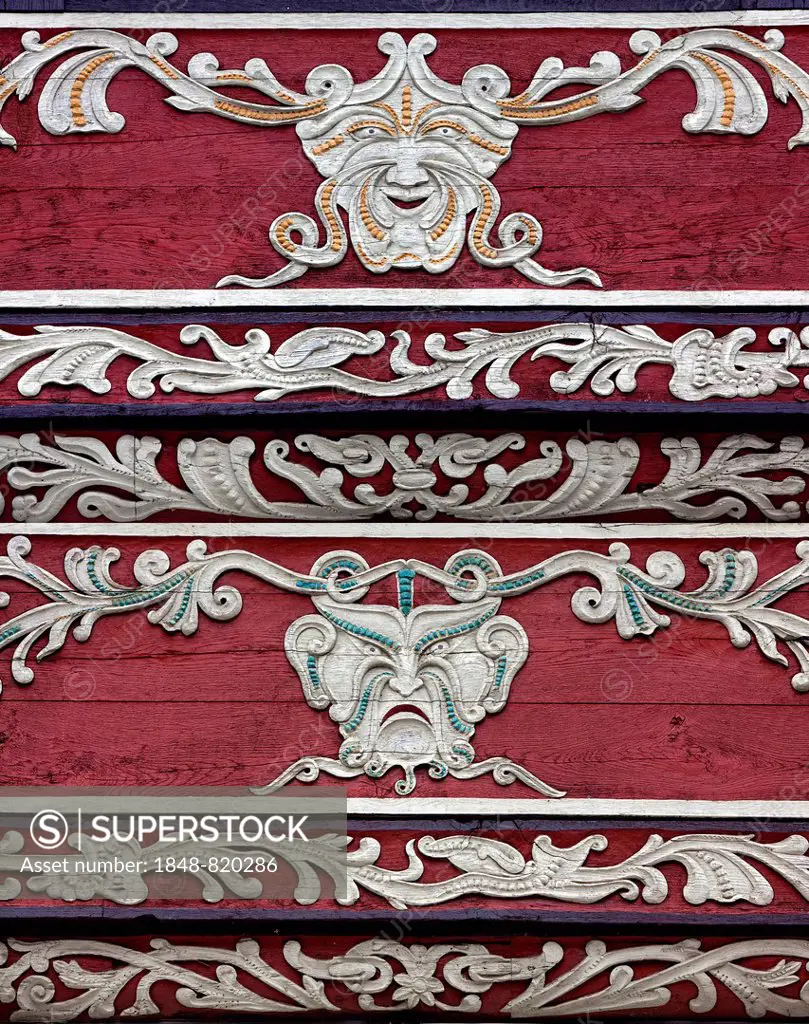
(684, 716)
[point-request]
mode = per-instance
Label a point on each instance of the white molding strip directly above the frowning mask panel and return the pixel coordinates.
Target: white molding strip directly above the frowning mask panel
(422, 532)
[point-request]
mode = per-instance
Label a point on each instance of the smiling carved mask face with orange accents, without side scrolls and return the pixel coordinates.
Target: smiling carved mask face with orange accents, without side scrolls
(409, 170)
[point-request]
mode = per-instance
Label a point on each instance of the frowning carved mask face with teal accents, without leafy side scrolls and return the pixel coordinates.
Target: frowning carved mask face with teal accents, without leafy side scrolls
(407, 688)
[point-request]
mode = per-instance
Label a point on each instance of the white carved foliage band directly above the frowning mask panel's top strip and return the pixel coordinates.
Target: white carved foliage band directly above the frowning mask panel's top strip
(742, 472)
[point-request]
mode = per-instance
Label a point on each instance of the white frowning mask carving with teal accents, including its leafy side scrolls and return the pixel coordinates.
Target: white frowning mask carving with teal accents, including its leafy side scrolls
(408, 686)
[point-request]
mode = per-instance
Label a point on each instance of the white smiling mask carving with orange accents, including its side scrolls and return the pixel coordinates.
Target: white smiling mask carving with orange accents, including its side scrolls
(407, 156)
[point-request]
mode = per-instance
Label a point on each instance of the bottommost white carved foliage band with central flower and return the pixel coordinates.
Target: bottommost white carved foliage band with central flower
(387, 976)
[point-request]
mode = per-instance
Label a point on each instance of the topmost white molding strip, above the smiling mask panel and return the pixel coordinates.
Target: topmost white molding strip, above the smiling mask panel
(392, 20)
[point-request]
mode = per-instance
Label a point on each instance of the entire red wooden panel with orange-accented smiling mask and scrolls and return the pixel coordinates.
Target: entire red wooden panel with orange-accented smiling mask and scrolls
(391, 170)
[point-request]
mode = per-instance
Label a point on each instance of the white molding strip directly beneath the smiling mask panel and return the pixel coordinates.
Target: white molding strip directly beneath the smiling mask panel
(336, 298)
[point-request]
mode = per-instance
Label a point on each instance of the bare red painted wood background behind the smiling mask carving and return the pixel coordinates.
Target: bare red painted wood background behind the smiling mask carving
(180, 200)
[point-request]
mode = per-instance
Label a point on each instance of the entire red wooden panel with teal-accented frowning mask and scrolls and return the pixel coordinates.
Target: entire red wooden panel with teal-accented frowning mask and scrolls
(445, 675)
